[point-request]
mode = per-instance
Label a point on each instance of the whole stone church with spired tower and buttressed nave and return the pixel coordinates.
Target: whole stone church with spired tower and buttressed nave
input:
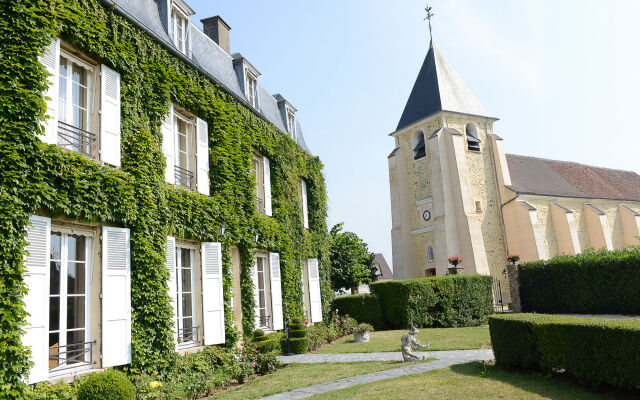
(454, 191)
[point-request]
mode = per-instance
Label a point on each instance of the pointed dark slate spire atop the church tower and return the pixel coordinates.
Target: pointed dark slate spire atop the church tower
(438, 88)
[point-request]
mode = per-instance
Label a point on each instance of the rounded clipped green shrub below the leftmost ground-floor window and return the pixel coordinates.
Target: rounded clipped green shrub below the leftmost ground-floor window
(107, 385)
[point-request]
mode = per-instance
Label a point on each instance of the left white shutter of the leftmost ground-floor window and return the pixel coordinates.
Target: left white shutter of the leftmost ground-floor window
(36, 301)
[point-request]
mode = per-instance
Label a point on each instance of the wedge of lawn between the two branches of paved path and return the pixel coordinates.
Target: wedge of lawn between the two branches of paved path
(300, 375)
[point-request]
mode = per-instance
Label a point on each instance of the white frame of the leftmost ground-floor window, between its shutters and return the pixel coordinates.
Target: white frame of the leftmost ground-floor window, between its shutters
(63, 295)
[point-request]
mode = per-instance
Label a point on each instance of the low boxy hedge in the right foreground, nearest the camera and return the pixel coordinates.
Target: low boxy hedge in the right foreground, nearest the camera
(594, 350)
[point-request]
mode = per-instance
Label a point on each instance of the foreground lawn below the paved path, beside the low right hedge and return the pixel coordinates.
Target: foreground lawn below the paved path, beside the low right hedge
(467, 381)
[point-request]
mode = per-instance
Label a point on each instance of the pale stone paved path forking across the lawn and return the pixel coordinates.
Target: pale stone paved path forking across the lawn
(444, 359)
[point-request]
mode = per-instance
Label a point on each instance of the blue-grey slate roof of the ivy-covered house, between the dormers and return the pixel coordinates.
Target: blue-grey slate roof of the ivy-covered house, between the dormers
(205, 54)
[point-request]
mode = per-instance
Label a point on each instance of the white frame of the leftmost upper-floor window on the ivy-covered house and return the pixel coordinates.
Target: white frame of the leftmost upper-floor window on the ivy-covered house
(69, 101)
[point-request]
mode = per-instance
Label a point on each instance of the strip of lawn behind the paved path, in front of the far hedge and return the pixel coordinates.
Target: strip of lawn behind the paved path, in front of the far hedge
(438, 338)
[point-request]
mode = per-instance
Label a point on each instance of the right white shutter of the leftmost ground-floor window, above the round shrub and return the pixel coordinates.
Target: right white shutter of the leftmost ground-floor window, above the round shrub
(116, 297)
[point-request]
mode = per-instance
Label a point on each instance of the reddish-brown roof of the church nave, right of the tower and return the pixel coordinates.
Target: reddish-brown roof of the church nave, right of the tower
(540, 176)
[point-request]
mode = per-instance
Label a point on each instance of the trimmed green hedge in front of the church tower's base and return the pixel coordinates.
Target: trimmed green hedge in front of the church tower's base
(443, 301)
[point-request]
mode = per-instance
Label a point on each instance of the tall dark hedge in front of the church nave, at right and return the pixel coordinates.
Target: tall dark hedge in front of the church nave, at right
(602, 282)
